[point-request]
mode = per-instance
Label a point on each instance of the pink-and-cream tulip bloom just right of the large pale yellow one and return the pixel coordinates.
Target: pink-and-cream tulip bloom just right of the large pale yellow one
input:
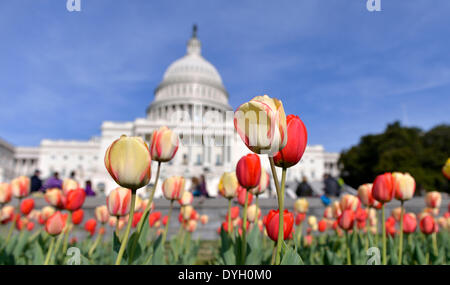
(163, 144)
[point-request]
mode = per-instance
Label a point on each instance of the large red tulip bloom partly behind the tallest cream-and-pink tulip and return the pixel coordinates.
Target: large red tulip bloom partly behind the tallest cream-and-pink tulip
(291, 154)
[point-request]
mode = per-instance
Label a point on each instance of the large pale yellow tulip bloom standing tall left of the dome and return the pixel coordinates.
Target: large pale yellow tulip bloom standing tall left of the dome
(128, 162)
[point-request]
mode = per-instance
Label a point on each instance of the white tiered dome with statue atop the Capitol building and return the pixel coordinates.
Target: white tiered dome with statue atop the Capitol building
(189, 81)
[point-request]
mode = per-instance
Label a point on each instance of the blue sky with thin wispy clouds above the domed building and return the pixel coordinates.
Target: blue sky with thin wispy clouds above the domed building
(345, 71)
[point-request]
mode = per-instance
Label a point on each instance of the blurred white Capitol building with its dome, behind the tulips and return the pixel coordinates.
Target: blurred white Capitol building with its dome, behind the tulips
(192, 100)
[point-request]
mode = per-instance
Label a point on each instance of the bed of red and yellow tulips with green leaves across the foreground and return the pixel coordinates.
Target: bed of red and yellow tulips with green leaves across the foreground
(348, 233)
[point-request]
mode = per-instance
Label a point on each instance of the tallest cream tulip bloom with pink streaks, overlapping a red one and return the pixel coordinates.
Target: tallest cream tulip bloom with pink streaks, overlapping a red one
(261, 124)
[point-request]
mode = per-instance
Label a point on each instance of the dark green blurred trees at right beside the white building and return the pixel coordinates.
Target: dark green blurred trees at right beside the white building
(404, 149)
